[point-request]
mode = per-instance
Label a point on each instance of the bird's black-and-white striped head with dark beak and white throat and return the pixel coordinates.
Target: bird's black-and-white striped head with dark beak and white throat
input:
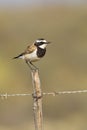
(42, 43)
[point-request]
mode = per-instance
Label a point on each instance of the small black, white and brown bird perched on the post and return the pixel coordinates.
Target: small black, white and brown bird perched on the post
(34, 52)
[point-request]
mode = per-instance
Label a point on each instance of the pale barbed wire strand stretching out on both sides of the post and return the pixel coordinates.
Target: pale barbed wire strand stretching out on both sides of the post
(6, 95)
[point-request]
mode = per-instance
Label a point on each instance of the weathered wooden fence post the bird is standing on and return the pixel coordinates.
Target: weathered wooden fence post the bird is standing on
(37, 98)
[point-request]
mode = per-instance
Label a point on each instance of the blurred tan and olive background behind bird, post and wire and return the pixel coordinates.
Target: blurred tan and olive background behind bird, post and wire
(64, 23)
